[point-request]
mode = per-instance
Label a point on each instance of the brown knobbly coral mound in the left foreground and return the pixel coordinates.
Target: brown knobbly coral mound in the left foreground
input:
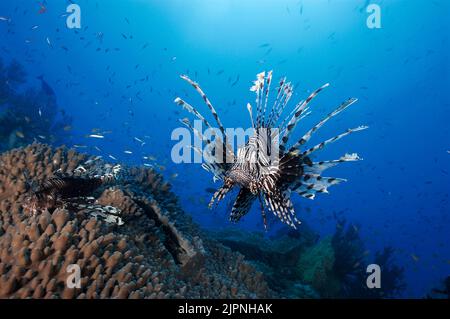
(157, 253)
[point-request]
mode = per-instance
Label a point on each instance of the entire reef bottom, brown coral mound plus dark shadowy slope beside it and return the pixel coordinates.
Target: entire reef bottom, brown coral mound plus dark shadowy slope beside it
(159, 252)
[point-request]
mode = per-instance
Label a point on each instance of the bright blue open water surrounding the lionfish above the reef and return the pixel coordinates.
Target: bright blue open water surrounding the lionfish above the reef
(120, 73)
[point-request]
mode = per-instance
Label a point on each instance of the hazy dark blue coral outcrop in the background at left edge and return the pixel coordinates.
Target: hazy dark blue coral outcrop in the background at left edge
(28, 113)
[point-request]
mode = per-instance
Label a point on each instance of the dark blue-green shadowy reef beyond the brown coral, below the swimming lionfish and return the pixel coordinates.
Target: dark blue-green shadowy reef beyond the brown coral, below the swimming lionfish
(297, 265)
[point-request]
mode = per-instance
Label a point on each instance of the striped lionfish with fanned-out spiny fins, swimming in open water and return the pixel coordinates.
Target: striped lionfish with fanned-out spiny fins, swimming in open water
(252, 169)
